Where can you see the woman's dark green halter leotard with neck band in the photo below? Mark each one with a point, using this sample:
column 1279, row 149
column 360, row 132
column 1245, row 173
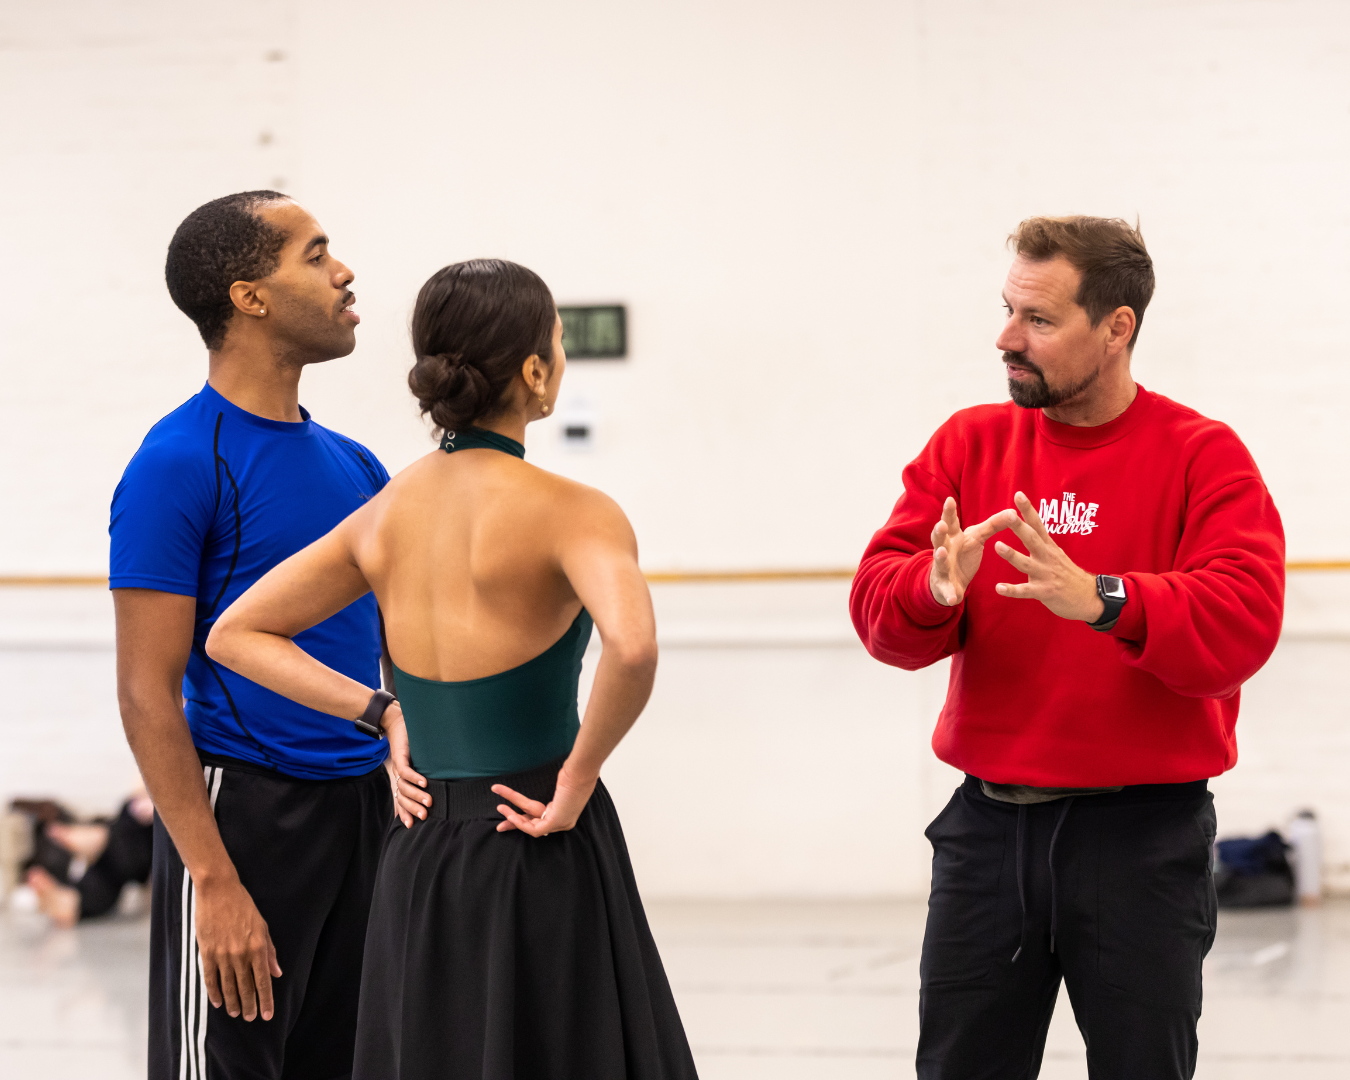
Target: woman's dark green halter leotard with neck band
column 506, row 723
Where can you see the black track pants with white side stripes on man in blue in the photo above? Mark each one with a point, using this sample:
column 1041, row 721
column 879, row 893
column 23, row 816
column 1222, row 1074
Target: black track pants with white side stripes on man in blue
column 307, row 853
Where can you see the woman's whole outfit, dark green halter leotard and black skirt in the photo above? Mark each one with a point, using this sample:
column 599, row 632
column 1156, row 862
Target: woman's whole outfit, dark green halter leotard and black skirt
column 497, row 956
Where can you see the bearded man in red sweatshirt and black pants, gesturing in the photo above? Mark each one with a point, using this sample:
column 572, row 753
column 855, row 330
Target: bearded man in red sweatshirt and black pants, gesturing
column 1097, row 664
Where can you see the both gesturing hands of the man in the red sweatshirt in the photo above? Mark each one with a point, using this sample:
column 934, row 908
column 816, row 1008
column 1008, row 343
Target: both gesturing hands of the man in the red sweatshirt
column 1051, row 576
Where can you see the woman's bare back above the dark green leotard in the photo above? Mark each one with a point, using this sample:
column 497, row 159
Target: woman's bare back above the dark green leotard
column 466, row 556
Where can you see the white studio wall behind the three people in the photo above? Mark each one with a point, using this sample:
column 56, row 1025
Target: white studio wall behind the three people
column 804, row 206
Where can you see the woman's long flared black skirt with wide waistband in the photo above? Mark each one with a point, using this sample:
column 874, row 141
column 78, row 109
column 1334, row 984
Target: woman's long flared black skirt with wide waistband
column 497, row 956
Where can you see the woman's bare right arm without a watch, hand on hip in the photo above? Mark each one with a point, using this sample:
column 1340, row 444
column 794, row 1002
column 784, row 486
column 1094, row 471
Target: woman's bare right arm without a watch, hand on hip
column 600, row 558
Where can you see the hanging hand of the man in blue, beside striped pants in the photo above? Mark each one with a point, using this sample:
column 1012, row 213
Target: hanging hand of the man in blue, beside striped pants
column 238, row 959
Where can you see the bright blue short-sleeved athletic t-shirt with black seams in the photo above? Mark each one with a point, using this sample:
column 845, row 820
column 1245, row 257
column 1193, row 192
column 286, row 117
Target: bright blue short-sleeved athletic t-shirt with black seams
column 214, row 500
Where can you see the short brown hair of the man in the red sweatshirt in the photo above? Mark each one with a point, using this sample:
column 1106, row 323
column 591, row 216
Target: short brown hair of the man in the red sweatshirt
column 1113, row 264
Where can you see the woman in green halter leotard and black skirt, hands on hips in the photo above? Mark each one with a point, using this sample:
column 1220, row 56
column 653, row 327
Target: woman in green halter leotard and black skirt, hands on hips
column 507, row 939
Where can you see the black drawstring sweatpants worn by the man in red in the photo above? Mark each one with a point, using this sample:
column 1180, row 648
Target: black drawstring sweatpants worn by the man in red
column 1110, row 893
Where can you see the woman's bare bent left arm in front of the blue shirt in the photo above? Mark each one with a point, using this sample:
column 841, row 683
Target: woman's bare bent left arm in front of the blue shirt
column 254, row 638
